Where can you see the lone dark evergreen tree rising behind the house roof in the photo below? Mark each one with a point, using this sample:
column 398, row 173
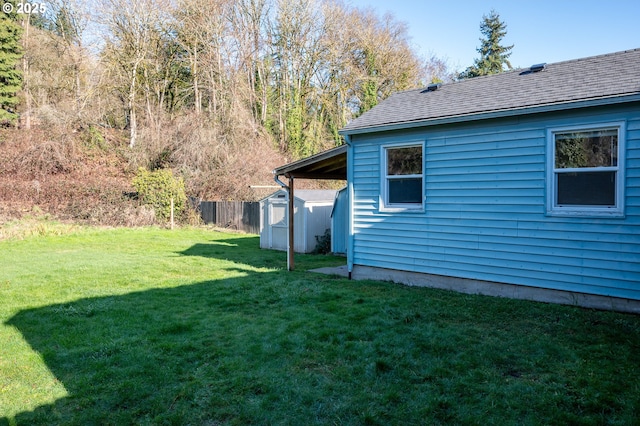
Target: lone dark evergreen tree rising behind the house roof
column 493, row 56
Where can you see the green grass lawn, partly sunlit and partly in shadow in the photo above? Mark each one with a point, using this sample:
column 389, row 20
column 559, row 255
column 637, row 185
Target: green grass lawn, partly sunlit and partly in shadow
column 150, row 326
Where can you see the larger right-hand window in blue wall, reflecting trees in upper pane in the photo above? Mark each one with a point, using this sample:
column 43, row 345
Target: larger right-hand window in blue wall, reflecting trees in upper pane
column 586, row 171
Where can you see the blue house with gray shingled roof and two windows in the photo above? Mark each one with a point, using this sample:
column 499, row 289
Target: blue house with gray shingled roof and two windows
column 524, row 184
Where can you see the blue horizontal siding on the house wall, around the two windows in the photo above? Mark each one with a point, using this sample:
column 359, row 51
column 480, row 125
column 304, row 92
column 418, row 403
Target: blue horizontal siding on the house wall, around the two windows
column 485, row 213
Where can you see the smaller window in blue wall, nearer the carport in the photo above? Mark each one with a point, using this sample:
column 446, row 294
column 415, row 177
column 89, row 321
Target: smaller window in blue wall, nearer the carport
column 402, row 177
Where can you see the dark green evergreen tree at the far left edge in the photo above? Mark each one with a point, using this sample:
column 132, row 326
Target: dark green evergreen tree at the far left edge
column 10, row 75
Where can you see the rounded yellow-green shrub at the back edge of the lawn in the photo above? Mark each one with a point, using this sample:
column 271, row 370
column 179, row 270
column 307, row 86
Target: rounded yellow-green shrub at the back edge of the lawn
column 157, row 188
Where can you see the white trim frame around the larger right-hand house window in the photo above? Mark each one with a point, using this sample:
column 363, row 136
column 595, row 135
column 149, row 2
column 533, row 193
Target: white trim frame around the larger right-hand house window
column 587, row 211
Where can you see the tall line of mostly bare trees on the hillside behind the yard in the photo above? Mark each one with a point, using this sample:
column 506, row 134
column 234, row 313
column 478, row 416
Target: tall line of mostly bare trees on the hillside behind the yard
column 196, row 84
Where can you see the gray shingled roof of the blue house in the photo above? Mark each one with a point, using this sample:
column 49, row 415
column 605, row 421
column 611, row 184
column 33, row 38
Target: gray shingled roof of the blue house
column 559, row 85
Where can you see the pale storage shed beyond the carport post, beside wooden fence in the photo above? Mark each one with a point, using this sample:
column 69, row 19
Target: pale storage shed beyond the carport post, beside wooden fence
column 312, row 218
